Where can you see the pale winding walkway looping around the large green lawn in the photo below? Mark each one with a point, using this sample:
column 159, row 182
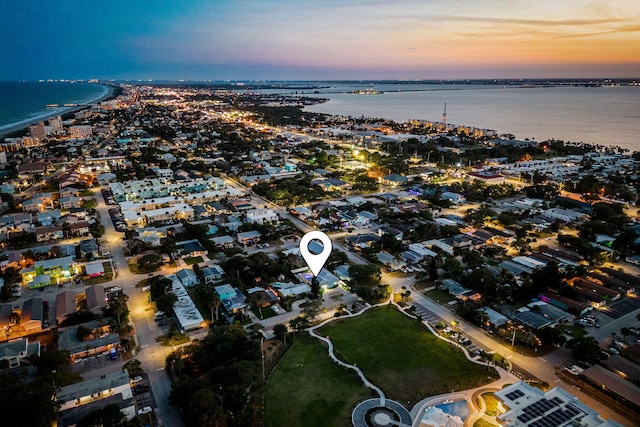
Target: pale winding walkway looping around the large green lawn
column 415, row 416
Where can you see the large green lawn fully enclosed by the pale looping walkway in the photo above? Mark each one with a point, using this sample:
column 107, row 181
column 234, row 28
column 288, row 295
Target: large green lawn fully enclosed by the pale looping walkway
column 402, row 357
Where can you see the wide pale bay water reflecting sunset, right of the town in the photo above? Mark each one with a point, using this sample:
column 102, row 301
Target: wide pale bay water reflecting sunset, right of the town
column 595, row 115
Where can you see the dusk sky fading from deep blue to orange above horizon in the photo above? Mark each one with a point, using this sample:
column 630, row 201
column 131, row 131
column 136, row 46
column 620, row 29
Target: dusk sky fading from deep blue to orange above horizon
column 319, row 39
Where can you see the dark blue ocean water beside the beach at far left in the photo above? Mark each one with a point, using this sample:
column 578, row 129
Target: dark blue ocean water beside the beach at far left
column 24, row 102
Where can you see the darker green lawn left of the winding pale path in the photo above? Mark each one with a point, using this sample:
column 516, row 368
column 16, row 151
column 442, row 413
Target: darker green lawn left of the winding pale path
column 307, row 389
